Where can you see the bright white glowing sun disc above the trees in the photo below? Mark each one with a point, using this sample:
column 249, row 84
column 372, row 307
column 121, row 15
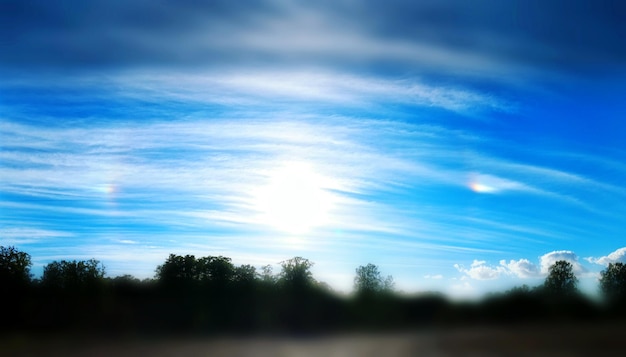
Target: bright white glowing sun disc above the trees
column 294, row 200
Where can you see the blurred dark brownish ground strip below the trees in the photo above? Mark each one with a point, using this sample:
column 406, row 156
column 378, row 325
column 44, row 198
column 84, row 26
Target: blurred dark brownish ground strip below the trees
column 561, row 340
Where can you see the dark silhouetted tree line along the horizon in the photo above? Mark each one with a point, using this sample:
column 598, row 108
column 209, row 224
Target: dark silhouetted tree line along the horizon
column 213, row 295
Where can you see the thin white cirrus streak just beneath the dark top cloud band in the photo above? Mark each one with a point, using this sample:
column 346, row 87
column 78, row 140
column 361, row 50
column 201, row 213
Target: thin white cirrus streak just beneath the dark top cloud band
column 249, row 90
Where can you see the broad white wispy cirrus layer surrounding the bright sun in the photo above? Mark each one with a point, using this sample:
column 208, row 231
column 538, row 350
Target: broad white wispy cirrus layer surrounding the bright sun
column 202, row 174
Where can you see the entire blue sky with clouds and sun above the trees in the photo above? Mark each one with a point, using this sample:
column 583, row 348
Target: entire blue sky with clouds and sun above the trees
column 462, row 147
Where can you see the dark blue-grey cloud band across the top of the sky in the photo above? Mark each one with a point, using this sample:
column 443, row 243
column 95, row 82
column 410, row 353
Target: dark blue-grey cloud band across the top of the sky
column 468, row 36
